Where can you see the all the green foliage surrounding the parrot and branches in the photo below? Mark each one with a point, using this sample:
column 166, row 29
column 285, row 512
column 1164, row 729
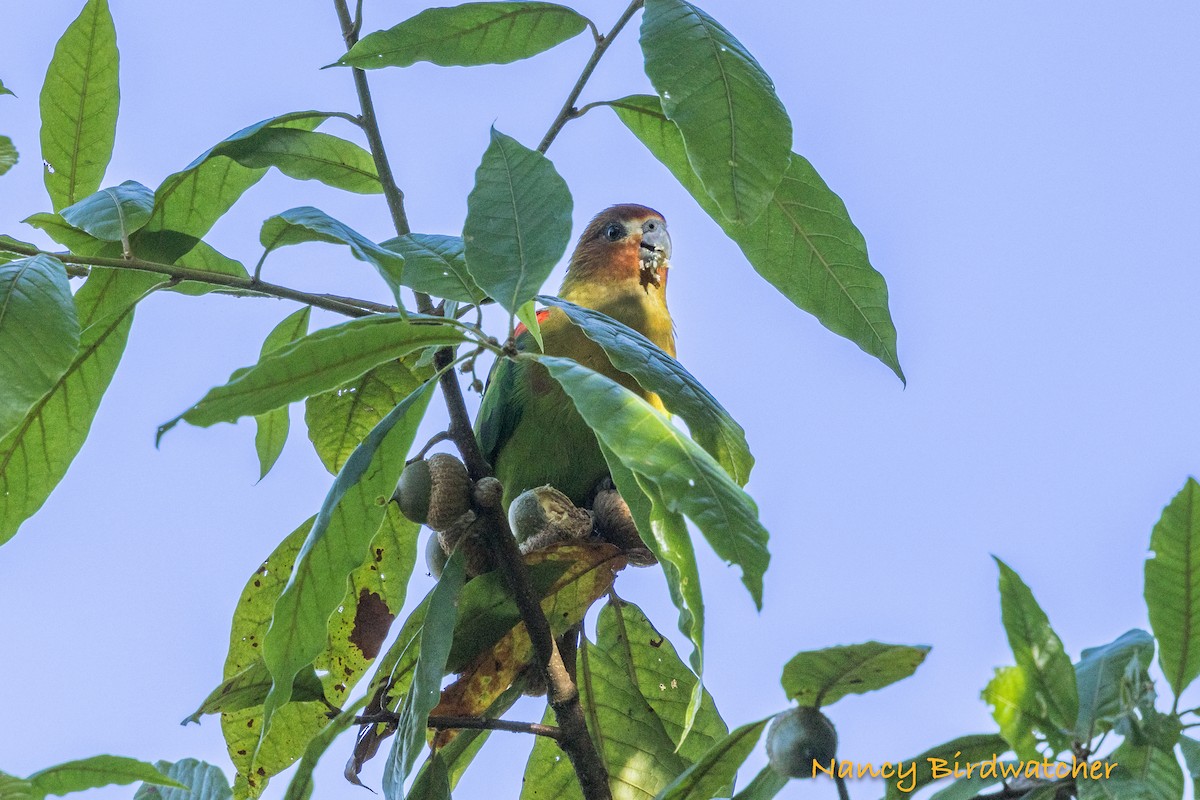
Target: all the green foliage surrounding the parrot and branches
column 317, row 613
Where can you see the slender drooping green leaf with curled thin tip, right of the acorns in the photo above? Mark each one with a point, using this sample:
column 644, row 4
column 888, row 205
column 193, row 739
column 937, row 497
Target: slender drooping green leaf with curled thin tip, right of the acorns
column 667, row 534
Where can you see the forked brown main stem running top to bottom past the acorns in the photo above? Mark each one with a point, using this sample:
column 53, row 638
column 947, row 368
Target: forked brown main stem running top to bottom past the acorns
column 565, row 697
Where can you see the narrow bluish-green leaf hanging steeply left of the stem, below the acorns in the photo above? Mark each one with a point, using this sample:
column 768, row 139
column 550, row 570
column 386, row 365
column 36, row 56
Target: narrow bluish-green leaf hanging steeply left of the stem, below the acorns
column 437, row 636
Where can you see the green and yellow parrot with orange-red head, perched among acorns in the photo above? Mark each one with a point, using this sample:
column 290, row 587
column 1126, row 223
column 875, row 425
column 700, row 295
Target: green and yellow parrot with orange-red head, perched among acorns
column 527, row 426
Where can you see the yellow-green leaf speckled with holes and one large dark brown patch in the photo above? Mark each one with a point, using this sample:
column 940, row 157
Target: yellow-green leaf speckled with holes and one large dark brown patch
column 374, row 593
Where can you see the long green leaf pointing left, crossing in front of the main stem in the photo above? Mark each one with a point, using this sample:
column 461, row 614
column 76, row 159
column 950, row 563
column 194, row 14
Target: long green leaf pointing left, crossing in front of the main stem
column 315, row 364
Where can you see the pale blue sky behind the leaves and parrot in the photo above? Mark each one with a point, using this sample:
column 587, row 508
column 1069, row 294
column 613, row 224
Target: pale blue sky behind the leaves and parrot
column 1028, row 179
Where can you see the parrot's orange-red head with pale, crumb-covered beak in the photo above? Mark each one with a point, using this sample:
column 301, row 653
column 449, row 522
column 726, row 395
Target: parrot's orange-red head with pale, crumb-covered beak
column 623, row 245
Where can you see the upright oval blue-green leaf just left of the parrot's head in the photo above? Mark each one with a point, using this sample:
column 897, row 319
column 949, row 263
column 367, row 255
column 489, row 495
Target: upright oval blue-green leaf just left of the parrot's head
column 519, row 222
